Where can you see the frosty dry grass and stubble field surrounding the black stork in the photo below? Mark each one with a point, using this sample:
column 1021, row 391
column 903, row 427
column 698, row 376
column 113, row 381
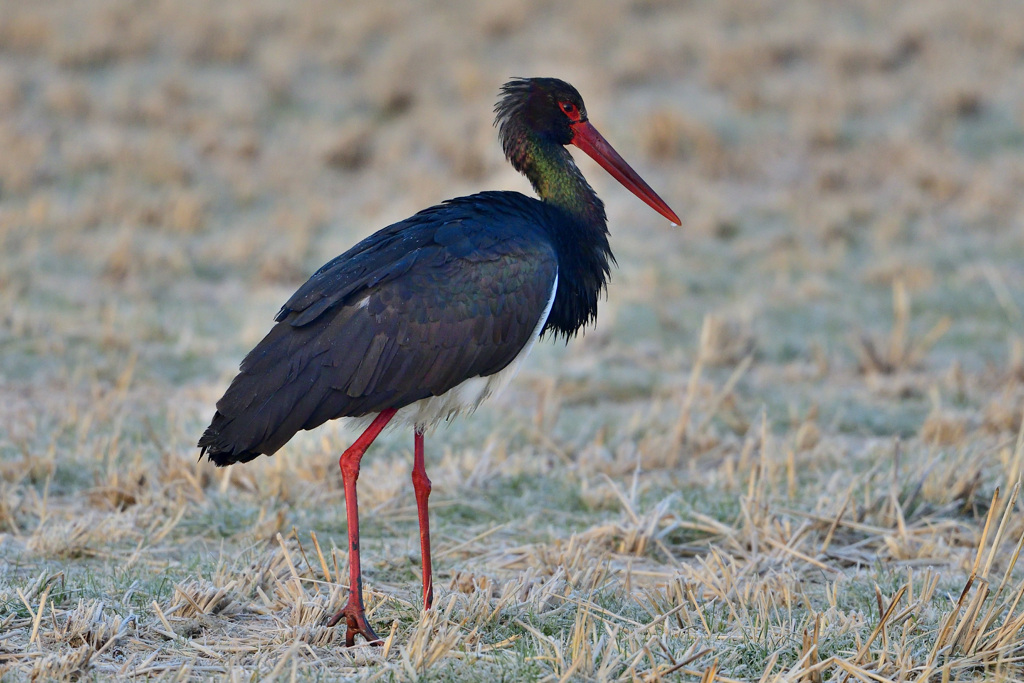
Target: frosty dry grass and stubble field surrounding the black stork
column 791, row 451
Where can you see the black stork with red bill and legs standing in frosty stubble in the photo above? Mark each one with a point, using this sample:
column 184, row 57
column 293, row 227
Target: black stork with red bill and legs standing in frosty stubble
column 428, row 318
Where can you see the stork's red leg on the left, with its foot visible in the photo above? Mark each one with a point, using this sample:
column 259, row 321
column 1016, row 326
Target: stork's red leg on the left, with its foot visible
column 354, row 612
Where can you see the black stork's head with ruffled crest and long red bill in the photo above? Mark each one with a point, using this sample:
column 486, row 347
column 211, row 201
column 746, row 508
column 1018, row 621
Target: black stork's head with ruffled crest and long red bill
column 551, row 111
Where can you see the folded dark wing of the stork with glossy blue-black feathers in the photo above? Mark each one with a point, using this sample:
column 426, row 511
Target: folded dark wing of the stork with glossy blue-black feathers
column 453, row 293
